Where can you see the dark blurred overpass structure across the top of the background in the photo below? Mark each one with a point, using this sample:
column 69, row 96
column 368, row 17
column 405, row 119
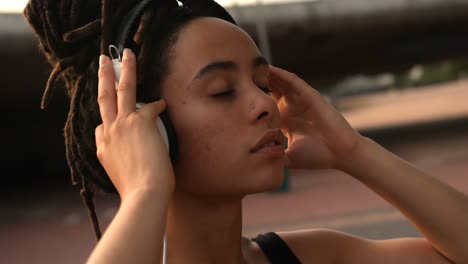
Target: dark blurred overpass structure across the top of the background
column 320, row 40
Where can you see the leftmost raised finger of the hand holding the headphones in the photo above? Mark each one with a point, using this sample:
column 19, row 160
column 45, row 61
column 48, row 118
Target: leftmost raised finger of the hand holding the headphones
column 106, row 91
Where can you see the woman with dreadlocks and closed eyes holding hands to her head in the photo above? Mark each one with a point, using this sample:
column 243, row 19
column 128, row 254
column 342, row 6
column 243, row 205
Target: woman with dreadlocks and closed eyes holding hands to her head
column 229, row 108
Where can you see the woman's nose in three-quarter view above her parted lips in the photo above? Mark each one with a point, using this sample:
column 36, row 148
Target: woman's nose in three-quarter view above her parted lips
column 261, row 107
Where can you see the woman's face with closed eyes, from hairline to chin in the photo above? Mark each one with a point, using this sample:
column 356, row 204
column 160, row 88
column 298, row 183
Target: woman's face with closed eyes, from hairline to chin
column 218, row 101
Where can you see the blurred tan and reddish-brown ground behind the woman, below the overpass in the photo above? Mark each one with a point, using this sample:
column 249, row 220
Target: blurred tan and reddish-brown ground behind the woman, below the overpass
column 51, row 226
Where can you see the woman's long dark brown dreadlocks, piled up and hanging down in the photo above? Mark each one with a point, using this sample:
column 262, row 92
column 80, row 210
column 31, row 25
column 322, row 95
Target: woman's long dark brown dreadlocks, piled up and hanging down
column 72, row 34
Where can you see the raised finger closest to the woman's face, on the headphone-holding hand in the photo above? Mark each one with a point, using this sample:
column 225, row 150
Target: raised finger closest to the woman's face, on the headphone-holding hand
column 126, row 93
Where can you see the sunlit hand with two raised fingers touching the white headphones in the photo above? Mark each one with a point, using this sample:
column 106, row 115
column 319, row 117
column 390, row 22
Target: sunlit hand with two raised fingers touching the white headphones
column 129, row 145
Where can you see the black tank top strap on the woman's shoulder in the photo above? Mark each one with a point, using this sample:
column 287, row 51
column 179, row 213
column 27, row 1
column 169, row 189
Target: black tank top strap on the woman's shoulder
column 276, row 250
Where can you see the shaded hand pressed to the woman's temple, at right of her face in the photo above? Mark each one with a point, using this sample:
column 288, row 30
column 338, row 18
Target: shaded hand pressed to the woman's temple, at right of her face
column 318, row 136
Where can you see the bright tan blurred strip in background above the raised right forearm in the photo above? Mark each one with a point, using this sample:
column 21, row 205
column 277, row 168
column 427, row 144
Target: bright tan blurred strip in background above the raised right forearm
column 396, row 108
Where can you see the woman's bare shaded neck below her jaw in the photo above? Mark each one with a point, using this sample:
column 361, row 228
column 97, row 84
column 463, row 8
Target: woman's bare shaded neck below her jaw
column 206, row 229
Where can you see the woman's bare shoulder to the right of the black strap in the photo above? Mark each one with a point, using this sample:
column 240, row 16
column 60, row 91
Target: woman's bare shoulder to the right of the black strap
column 331, row 246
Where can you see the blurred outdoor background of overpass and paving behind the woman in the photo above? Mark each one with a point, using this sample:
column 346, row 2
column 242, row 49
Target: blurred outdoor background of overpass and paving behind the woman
column 396, row 69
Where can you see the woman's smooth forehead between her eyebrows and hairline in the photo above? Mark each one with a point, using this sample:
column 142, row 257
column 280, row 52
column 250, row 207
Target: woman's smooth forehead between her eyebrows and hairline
column 205, row 40
